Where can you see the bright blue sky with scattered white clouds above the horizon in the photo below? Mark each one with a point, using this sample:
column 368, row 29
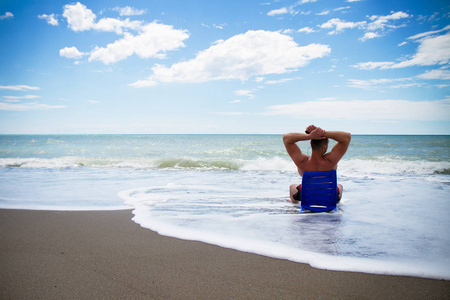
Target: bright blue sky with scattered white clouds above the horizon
column 236, row 66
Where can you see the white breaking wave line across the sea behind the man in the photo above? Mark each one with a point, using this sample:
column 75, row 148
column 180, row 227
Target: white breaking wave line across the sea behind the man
column 354, row 167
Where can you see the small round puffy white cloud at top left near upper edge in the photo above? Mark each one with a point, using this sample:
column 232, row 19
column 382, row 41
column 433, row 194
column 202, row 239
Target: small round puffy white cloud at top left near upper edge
column 79, row 17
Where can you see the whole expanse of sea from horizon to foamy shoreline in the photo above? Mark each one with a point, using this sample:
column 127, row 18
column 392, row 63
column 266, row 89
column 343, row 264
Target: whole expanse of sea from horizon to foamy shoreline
column 230, row 190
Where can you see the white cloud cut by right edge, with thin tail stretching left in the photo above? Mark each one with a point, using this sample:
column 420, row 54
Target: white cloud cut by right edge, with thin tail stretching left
column 434, row 50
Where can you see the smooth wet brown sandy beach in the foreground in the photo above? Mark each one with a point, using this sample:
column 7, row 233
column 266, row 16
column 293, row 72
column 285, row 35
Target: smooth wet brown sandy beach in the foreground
column 105, row 255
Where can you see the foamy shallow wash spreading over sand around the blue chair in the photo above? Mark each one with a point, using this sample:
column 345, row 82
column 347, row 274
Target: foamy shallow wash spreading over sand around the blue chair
column 376, row 230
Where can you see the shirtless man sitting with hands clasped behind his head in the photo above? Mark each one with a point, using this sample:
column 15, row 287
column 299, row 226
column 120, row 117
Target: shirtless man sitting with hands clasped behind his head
column 319, row 159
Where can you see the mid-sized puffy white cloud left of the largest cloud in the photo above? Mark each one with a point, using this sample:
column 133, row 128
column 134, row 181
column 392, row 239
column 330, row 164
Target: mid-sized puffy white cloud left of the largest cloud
column 153, row 41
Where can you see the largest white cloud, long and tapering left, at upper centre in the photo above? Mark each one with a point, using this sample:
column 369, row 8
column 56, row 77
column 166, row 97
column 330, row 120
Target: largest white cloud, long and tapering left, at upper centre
column 255, row 53
